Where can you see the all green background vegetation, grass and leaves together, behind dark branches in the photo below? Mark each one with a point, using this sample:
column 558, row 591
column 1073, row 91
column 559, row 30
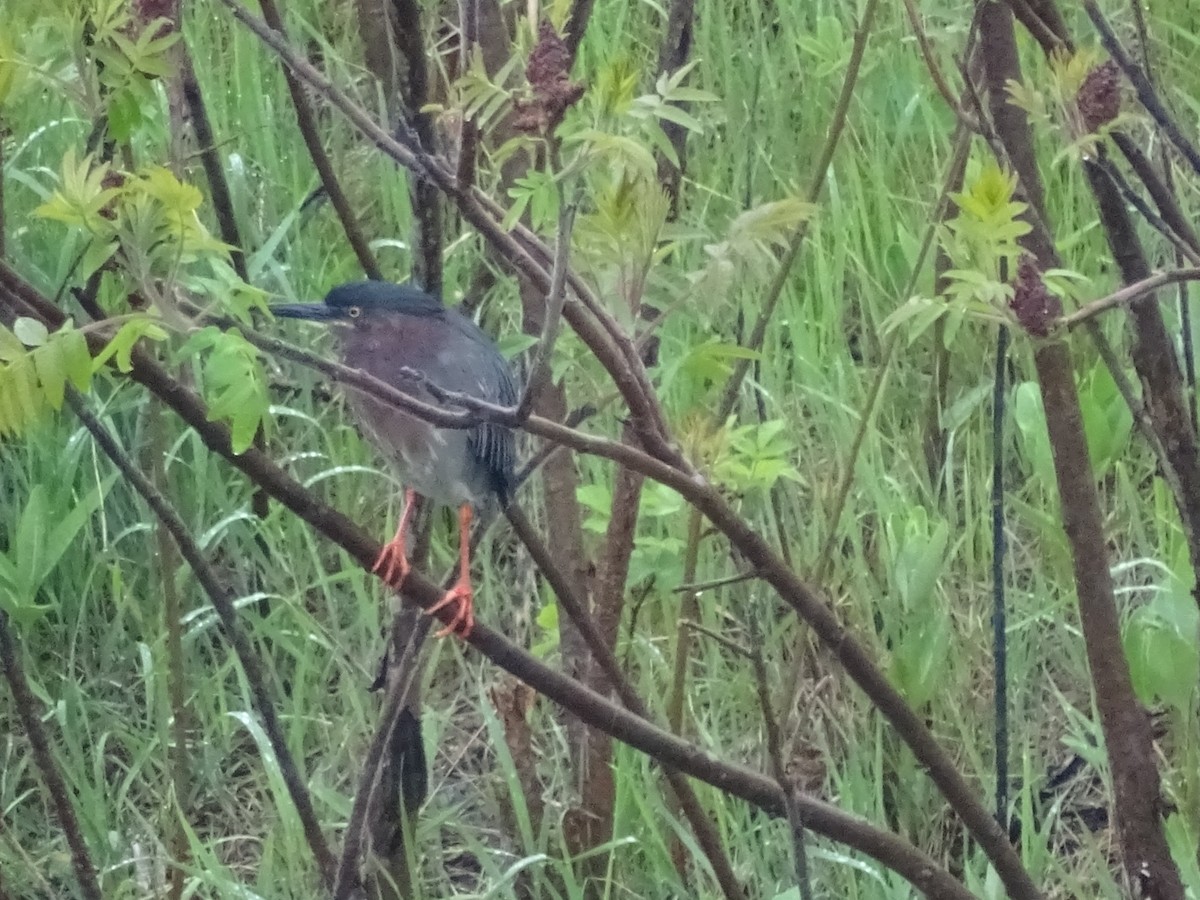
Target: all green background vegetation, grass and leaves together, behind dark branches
column 913, row 559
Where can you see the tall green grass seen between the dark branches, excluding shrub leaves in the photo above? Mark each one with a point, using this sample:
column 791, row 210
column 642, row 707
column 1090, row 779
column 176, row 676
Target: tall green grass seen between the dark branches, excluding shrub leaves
column 99, row 659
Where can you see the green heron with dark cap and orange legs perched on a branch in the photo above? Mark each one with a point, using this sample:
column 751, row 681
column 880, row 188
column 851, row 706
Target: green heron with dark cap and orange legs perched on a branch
column 386, row 329
